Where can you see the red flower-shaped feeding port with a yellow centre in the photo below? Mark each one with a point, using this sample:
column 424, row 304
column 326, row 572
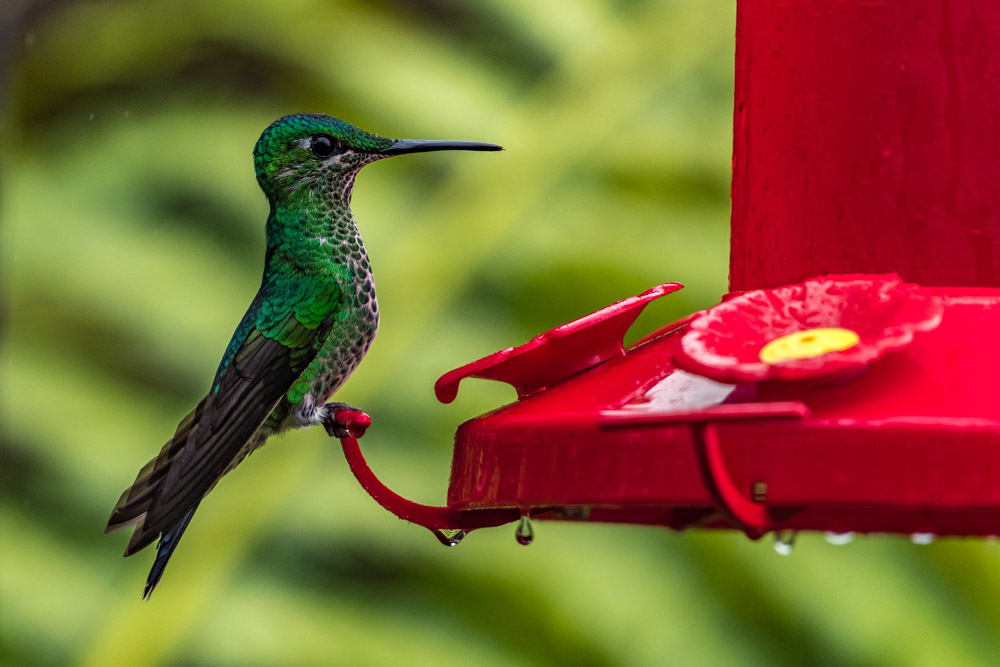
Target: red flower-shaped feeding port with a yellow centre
column 823, row 328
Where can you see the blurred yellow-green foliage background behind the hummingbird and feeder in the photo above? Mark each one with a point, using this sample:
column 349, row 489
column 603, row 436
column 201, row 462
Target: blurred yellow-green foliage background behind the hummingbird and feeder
column 132, row 242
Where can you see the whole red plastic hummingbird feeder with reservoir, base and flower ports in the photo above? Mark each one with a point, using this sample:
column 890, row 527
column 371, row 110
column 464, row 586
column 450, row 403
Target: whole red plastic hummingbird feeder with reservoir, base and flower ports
column 846, row 382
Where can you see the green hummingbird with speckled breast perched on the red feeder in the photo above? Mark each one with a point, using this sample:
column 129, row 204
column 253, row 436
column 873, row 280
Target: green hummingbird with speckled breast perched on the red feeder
column 306, row 330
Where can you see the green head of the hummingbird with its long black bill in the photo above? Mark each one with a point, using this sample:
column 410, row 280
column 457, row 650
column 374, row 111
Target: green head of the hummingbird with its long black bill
column 322, row 153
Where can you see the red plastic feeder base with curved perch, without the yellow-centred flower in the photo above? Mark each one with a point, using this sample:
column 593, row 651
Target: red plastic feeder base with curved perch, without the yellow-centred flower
column 910, row 445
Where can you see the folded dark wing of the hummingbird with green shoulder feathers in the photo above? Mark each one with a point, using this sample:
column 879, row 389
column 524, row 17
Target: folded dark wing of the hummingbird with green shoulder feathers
column 248, row 388
